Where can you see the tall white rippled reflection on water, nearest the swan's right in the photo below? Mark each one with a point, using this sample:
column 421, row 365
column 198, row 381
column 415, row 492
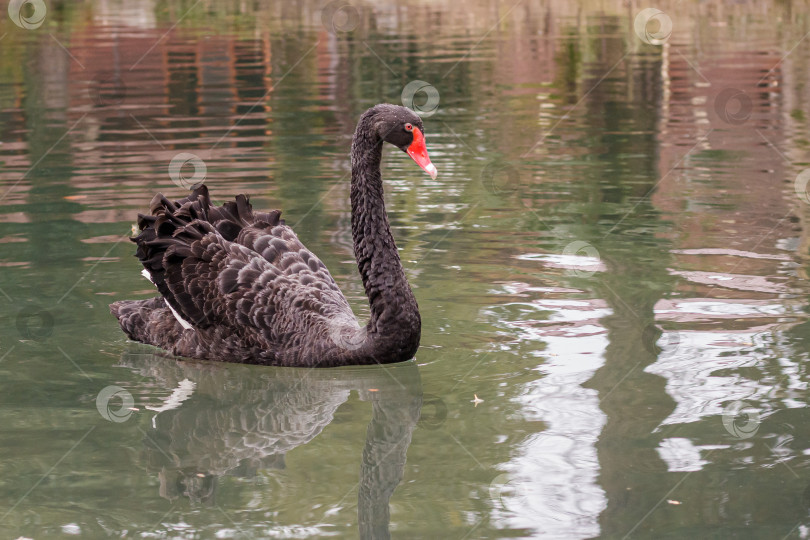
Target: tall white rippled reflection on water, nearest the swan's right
column 555, row 471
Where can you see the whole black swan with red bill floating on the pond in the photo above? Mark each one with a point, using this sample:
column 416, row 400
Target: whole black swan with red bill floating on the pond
column 239, row 286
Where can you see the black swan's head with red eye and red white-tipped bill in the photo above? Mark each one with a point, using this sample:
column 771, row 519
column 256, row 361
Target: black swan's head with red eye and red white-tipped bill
column 402, row 127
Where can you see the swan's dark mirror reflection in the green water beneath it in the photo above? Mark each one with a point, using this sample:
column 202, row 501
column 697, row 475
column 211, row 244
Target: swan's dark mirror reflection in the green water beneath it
column 228, row 420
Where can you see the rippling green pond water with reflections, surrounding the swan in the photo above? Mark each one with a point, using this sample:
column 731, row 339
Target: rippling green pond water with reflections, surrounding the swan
column 611, row 269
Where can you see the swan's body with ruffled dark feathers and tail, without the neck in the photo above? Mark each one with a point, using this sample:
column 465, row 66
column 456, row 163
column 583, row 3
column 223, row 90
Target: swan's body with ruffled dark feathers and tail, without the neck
column 235, row 285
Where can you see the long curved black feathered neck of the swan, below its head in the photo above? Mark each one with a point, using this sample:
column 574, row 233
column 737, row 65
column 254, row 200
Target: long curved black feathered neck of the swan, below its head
column 394, row 313
